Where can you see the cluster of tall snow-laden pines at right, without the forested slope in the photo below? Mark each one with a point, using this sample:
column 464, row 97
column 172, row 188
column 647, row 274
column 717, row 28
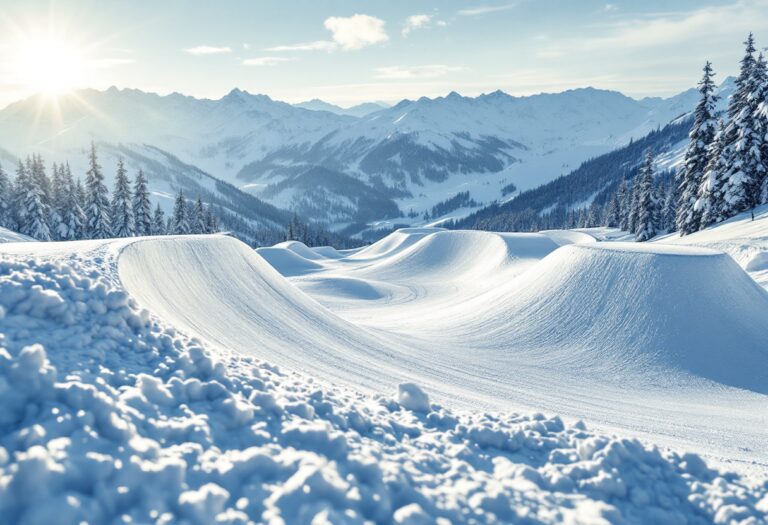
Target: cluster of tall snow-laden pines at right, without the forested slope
column 725, row 167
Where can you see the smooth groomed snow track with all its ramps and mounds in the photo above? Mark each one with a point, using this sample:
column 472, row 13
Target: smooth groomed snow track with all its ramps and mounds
column 666, row 343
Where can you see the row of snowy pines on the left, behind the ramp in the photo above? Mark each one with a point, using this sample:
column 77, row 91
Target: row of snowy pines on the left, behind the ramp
column 60, row 207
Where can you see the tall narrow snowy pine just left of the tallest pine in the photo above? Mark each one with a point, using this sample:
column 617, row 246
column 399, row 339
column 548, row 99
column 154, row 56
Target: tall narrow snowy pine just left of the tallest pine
column 701, row 137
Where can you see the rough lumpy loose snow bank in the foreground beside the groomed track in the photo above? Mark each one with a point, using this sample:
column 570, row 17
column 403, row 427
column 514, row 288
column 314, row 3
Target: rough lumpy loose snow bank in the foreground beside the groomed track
column 111, row 416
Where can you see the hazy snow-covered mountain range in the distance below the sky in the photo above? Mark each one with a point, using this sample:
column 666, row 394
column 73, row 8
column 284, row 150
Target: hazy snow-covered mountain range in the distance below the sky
column 342, row 169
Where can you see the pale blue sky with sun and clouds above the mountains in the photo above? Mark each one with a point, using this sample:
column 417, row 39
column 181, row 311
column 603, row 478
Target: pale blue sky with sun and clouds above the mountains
column 348, row 52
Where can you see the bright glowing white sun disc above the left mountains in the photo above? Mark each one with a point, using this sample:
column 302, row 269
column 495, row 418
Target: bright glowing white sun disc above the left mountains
column 49, row 65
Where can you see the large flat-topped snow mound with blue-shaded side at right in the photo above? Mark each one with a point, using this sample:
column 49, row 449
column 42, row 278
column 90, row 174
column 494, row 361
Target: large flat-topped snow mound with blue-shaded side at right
column 634, row 308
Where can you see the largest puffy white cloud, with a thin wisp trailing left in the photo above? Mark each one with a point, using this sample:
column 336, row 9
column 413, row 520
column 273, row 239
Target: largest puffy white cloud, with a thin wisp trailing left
column 347, row 33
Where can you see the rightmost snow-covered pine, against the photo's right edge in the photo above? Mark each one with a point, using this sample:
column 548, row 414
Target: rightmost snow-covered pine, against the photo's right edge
column 745, row 169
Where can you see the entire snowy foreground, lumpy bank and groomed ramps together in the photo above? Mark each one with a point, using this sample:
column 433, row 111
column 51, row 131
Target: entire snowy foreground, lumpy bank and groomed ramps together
column 398, row 367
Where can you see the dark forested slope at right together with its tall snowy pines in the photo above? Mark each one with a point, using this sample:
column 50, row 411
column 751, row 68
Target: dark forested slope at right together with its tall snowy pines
column 724, row 172
